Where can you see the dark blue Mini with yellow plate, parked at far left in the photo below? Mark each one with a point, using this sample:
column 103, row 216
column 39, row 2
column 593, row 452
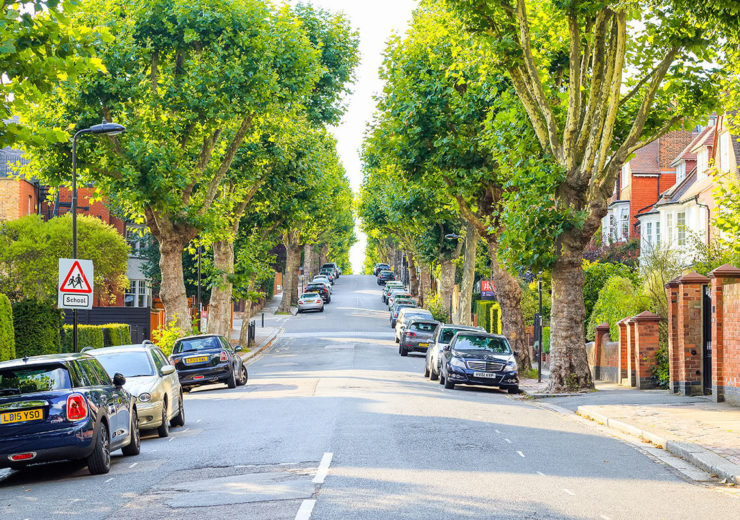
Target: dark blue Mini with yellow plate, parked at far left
column 64, row 407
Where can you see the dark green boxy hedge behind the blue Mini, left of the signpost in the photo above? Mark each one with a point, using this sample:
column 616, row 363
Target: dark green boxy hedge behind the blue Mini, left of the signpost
column 36, row 326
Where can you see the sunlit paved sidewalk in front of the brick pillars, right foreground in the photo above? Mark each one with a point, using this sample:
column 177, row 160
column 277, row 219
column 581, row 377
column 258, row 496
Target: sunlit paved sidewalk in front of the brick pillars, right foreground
column 696, row 429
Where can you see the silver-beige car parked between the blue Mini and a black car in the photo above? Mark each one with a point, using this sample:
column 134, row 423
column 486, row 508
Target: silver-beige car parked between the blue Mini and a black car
column 151, row 378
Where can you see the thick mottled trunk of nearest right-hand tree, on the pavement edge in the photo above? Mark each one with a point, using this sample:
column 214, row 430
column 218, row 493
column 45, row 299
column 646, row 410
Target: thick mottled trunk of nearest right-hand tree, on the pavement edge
column 569, row 369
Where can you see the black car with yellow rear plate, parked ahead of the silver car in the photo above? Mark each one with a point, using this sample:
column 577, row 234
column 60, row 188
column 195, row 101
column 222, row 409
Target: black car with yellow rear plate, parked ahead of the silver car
column 207, row 359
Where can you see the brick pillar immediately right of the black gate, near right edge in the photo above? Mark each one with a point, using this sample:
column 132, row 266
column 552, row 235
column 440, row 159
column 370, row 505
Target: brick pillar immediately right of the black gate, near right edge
column 722, row 276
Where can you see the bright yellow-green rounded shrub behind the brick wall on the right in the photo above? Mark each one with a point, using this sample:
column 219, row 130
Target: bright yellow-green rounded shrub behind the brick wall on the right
column 618, row 299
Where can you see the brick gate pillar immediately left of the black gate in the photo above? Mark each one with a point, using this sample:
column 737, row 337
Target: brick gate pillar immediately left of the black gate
column 690, row 339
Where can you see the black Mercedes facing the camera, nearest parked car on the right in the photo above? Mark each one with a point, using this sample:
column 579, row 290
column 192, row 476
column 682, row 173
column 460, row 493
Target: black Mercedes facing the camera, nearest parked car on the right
column 477, row 358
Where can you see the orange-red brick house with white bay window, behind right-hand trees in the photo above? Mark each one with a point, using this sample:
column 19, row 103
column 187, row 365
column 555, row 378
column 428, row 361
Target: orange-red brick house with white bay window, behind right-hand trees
column 641, row 182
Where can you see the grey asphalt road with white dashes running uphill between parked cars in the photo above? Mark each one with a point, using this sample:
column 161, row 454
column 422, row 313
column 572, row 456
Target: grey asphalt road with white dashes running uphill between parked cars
column 334, row 424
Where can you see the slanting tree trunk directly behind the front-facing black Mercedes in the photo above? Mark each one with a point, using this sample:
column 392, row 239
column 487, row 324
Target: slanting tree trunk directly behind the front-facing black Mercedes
column 509, row 296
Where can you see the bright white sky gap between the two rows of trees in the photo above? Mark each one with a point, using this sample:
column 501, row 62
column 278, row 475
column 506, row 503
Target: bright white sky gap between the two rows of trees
column 376, row 20
